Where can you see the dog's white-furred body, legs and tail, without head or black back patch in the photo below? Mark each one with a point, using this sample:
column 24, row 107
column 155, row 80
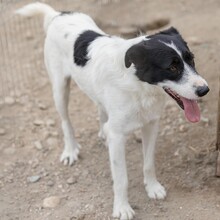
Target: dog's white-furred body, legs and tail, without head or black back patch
column 124, row 102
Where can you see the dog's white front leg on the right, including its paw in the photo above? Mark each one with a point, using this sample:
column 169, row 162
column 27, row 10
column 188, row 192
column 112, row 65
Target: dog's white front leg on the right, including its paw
column 149, row 135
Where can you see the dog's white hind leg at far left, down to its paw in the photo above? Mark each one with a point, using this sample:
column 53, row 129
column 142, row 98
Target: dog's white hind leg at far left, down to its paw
column 61, row 87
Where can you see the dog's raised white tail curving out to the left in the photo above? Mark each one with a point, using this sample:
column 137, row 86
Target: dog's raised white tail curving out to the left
column 38, row 8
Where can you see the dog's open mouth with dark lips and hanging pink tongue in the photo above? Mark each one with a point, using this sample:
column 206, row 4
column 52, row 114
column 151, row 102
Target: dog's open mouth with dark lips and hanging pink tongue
column 190, row 107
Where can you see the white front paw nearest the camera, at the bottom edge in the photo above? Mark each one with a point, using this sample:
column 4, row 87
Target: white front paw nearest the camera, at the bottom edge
column 123, row 212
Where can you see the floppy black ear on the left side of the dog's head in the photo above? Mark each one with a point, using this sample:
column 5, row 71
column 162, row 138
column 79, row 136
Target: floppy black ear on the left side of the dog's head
column 136, row 55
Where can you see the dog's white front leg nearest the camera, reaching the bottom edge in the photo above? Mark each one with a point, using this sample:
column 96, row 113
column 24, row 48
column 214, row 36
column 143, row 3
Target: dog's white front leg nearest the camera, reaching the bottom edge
column 116, row 143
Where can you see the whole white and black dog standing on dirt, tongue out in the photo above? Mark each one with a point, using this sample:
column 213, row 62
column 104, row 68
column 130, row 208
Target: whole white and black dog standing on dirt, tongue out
column 127, row 80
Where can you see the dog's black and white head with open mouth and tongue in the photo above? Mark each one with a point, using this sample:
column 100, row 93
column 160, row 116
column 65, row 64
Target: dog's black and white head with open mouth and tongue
column 164, row 59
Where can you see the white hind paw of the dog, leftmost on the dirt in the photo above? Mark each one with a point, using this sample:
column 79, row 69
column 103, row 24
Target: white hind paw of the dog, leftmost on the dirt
column 68, row 157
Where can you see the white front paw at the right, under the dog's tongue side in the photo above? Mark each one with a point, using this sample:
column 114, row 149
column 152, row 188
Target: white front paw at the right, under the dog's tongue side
column 155, row 191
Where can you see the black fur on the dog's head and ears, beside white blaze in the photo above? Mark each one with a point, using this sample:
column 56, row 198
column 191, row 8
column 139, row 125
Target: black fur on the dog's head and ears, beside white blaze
column 156, row 62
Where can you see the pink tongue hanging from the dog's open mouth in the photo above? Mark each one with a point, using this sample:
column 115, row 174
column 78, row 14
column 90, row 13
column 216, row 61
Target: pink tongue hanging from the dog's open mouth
column 191, row 110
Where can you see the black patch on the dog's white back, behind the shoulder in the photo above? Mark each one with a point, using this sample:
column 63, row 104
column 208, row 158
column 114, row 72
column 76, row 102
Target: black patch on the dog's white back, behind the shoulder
column 81, row 46
